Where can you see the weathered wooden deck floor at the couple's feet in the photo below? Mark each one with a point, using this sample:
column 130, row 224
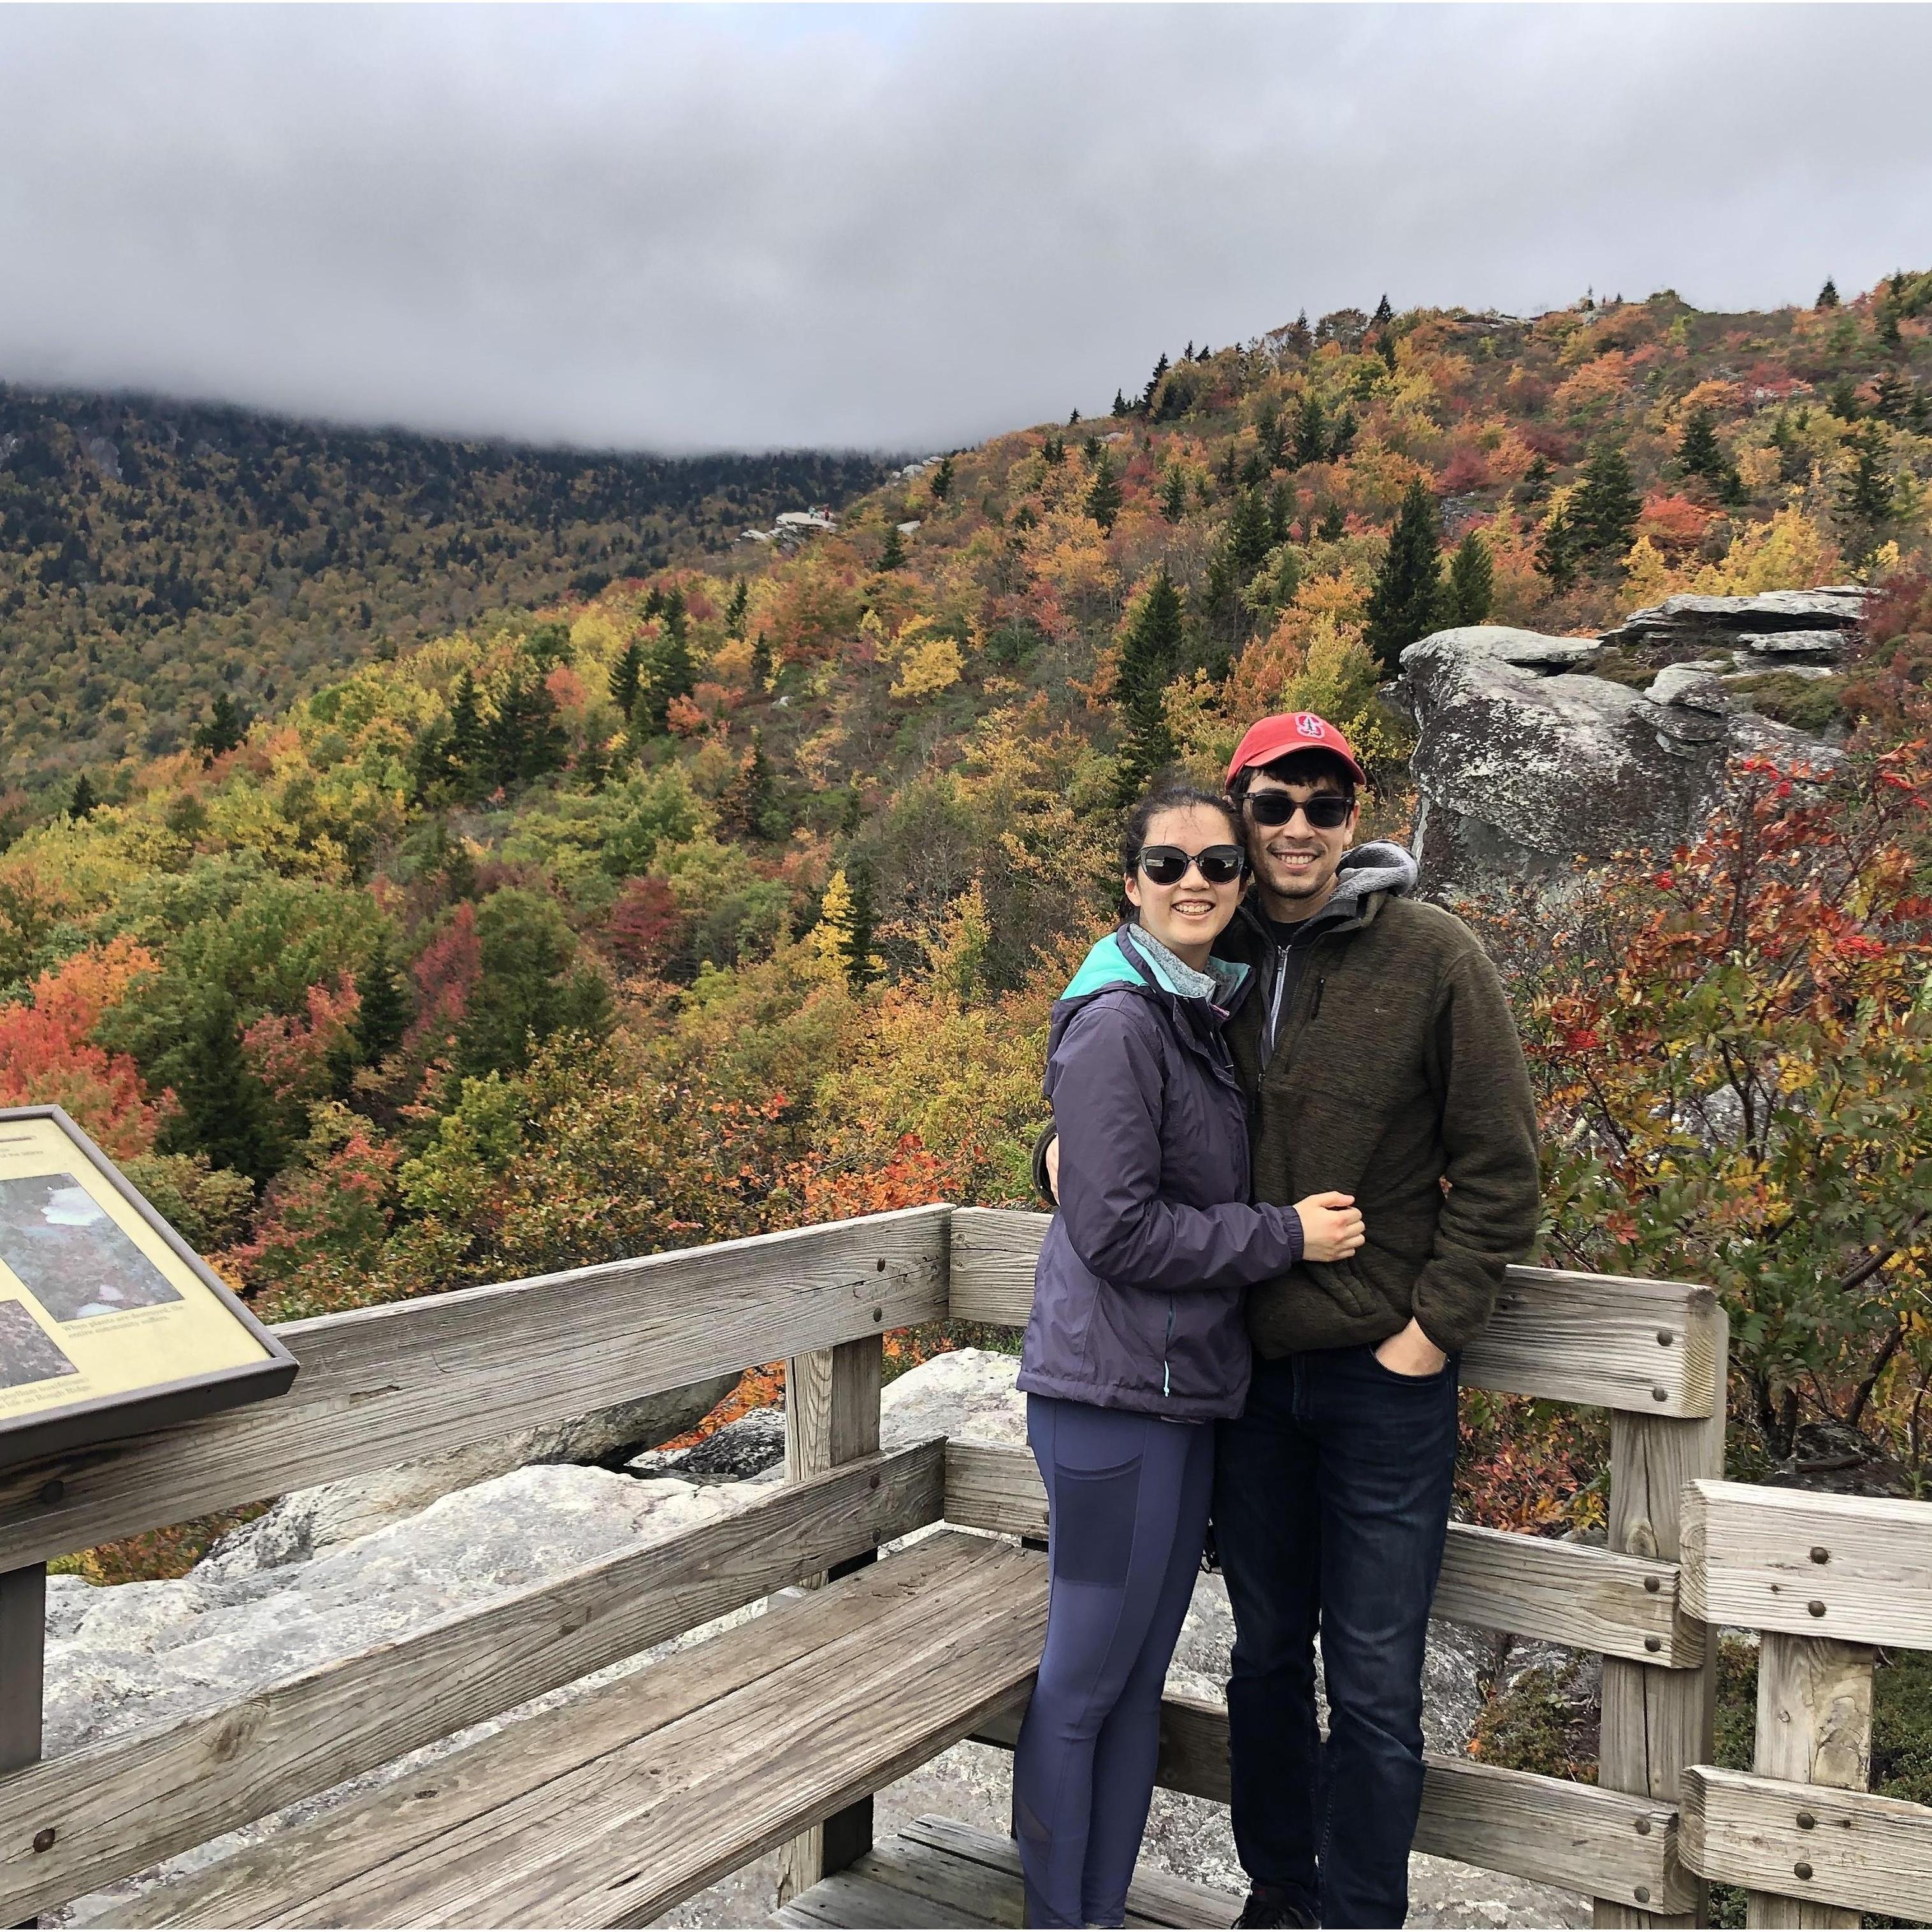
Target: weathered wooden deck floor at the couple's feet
column 938, row 1873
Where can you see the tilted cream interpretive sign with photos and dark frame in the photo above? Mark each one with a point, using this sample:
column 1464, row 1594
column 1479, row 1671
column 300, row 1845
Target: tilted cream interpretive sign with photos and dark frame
column 109, row 1322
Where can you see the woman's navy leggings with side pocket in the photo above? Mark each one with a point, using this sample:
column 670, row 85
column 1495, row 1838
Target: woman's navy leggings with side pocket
column 1127, row 1498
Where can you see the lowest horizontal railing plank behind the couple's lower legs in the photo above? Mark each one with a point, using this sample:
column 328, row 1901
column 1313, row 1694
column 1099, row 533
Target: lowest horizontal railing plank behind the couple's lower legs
column 1543, row 1829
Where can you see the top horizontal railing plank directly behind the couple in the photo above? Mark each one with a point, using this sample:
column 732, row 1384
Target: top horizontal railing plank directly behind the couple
column 1651, row 1348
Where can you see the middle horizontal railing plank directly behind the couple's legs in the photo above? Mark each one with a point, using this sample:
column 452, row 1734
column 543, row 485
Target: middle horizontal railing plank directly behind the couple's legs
column 1525, row 1585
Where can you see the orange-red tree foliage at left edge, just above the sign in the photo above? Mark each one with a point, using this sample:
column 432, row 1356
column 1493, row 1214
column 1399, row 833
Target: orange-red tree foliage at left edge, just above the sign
column 47, row 1056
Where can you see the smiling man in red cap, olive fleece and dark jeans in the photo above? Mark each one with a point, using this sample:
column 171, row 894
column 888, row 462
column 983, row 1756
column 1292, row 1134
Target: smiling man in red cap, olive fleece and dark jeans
column 1380, row 1060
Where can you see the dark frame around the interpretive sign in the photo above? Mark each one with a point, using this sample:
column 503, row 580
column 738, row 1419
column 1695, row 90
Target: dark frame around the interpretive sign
column 167, row 1404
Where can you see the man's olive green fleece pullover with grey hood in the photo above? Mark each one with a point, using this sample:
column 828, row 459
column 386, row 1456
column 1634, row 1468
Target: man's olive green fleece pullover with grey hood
column 1396, row 1077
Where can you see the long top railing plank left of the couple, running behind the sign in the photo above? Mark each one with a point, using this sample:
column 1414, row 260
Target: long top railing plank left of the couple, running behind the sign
column 382, row 1386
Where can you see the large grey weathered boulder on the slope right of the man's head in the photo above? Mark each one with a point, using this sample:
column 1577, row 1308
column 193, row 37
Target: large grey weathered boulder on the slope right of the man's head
column 1527, row 762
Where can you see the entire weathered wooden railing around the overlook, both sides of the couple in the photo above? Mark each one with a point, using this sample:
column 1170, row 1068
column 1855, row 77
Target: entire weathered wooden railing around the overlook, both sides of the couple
column 389, row 1384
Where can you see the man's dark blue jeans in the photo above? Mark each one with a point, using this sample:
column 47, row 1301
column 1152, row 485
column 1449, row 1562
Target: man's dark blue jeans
column 1332, row 1506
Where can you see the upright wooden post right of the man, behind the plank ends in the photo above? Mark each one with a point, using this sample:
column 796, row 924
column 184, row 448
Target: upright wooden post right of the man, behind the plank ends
column 1657, row 1722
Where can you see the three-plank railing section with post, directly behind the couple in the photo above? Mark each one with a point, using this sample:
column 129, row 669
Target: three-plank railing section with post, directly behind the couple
column 1653, row 1353
